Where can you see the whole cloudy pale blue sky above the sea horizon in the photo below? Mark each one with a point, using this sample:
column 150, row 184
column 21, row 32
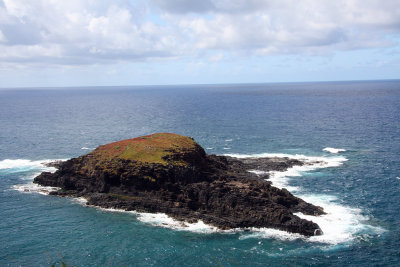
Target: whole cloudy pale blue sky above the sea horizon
column 45, row 43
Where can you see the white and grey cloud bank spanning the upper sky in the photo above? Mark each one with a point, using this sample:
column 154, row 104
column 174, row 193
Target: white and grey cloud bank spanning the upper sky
column 100, row 31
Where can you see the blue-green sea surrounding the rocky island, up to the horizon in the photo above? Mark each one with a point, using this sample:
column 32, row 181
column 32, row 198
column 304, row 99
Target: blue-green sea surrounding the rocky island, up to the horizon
column 358, row 187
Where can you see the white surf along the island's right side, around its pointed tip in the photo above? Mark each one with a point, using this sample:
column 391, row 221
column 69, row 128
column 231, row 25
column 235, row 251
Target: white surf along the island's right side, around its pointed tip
column 341, row 224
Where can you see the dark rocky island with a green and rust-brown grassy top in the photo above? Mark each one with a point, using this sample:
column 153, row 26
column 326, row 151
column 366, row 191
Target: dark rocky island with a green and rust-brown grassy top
column 172, row 174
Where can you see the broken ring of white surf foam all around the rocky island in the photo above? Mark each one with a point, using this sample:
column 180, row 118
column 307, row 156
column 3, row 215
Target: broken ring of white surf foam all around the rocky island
column 340, row 224
